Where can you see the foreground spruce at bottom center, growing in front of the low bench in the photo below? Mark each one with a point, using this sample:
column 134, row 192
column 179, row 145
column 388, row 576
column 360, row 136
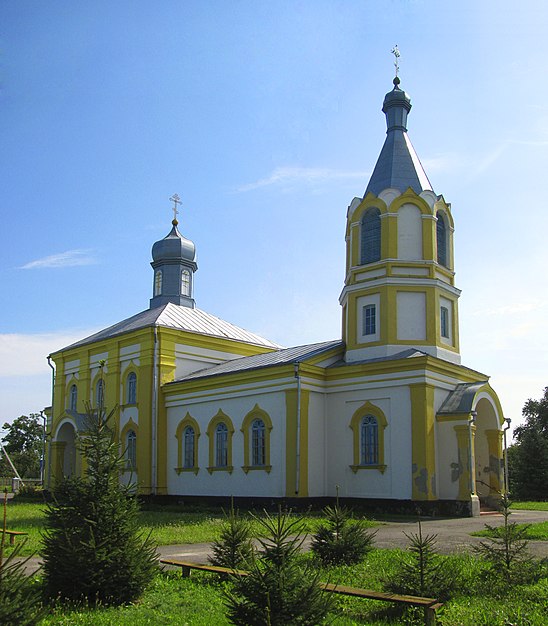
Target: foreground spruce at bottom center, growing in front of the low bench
column 280, row 589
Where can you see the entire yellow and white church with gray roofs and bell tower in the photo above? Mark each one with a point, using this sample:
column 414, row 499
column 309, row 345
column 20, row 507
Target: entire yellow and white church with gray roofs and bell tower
column 386, row 413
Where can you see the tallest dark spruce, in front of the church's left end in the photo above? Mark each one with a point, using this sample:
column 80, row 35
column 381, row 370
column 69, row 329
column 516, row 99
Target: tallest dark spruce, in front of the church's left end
column 93, row 550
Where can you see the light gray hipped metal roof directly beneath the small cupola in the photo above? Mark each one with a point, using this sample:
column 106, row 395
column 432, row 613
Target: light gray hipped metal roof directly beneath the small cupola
column 181, row 318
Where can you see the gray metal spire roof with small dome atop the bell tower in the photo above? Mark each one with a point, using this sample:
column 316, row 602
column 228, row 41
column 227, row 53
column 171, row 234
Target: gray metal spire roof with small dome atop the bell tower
column 398, row 166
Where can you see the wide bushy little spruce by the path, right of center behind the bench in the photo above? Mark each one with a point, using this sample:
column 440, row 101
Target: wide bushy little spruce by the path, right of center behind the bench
column 341, row 539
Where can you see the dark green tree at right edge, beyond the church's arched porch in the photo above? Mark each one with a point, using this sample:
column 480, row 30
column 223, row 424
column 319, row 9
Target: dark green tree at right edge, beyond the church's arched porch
column 528, row 457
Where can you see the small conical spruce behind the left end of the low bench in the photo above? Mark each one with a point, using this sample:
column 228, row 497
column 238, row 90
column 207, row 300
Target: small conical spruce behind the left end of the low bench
column 233, row 548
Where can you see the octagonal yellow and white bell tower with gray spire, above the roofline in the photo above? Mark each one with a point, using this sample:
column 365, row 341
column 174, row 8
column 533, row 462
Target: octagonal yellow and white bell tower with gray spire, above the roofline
column 399, row 291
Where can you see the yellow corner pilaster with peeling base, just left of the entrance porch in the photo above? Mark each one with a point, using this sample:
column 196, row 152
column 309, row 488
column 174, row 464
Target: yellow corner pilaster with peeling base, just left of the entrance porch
column 423, row 442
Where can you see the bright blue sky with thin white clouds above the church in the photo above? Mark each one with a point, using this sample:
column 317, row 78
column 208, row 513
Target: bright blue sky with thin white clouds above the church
column 264, row 116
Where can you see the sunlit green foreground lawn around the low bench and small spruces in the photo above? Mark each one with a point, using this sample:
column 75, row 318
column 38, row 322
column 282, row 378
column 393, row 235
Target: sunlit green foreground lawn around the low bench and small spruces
column 198, row 601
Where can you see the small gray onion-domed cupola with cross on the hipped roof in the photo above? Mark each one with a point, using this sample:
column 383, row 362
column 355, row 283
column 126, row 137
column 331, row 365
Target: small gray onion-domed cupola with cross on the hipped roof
column 173, row 262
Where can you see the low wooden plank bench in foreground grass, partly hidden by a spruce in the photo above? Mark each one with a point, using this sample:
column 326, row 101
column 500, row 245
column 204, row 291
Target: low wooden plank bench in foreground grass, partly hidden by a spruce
column 430, row 605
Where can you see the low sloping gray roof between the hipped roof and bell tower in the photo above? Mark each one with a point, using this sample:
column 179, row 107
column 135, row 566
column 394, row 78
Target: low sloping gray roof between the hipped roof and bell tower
column 284, row 356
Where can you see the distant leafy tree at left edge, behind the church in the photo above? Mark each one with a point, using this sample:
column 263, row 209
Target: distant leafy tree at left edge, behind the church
column 23, row 442
